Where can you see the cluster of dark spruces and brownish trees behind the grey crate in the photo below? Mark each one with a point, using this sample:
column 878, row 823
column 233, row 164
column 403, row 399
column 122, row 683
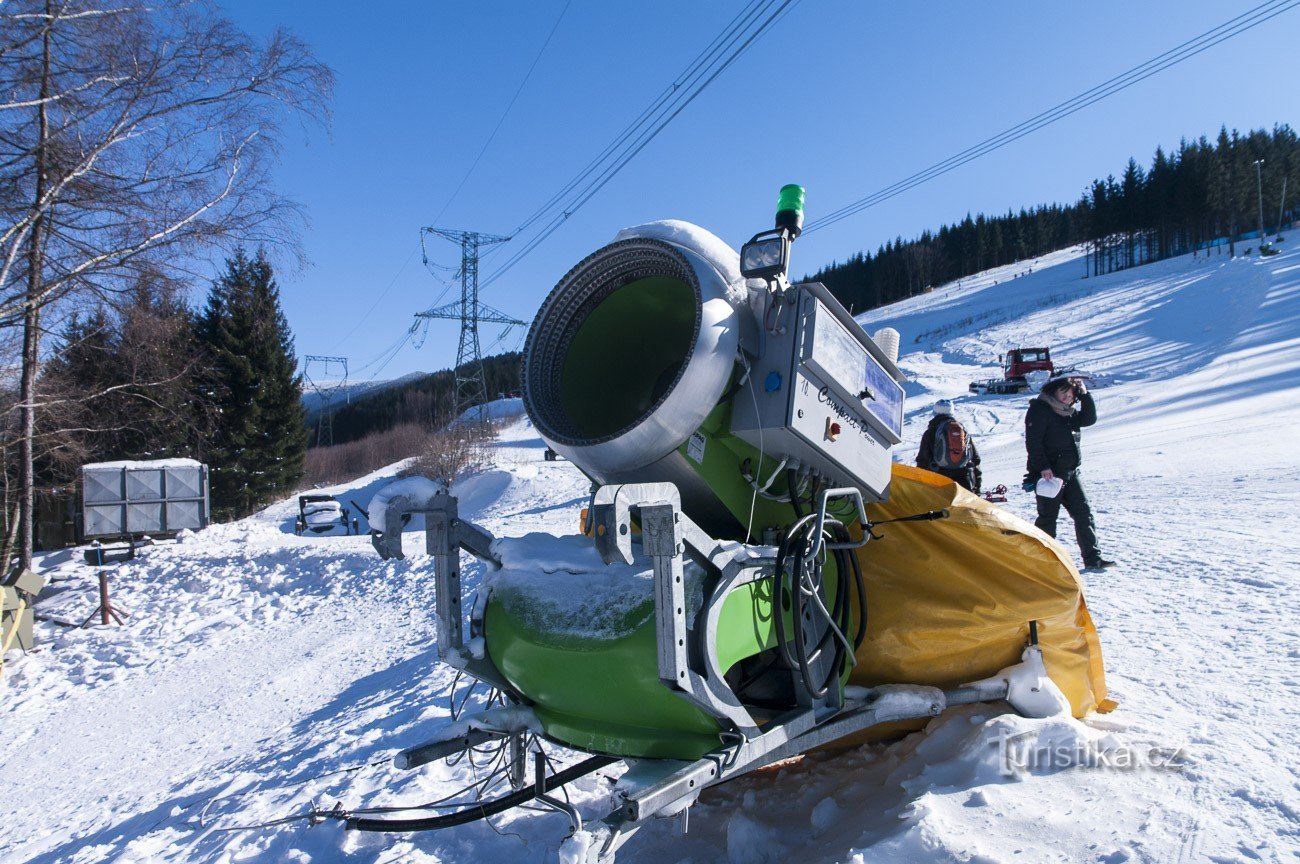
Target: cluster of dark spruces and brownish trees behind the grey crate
column 149, row 379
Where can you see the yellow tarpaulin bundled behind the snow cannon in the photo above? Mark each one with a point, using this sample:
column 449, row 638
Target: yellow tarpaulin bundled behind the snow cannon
column 951, row 601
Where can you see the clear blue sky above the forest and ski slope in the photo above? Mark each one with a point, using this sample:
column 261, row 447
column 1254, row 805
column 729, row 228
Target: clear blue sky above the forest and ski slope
column 842, row 97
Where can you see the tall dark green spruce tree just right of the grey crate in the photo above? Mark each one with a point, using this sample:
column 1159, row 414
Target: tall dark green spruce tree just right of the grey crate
column 257, row 450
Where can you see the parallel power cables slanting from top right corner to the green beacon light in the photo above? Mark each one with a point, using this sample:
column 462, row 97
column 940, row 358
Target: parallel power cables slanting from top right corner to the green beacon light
column 1172, row 58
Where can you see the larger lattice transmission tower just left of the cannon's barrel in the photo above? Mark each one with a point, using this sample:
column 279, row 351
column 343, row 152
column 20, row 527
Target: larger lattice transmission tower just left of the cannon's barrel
column 471, row 379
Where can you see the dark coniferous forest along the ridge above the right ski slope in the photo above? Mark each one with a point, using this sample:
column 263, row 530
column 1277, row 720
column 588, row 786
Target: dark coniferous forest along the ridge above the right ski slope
column 1203, row 196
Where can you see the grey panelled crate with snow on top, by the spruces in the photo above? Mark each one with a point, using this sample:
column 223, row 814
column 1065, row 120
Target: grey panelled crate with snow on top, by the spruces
column 155, row 497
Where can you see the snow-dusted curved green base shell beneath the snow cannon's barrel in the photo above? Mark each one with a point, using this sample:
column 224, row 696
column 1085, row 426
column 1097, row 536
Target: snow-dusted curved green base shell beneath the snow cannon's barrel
column 582, row 645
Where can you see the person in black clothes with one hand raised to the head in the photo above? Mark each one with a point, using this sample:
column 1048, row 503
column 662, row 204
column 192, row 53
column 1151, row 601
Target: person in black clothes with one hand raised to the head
column 1052, row 438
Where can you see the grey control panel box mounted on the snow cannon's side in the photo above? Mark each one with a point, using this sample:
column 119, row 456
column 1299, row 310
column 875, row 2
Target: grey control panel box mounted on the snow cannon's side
column 822, row 393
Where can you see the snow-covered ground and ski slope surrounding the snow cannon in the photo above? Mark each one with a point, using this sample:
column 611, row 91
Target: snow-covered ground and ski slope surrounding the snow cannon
column 261, row 672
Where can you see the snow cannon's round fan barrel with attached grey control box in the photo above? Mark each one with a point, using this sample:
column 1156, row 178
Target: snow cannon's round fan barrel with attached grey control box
column 662, row 358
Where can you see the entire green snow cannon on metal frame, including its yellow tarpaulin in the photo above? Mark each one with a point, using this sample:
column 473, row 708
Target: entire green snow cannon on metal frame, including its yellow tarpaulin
column 712, row 616
